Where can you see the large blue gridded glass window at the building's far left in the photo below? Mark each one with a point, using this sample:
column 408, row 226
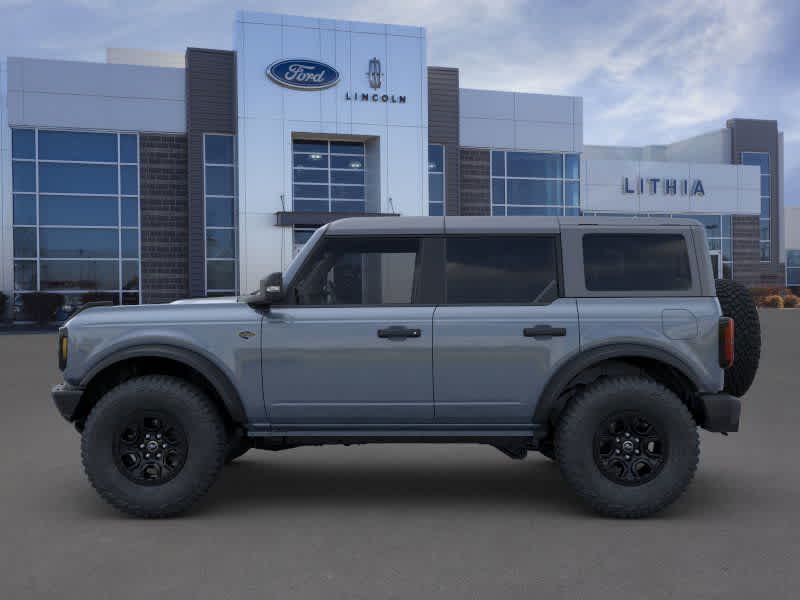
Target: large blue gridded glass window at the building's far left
column 75, row 216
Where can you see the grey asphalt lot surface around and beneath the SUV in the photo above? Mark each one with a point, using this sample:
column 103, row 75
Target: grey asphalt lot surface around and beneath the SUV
column 401, row 521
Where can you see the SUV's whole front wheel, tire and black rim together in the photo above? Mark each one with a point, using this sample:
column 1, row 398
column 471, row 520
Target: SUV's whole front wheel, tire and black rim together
column 153, row 445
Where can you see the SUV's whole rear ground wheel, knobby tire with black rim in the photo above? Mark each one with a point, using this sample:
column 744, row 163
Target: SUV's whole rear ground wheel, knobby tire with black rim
column 628, row 446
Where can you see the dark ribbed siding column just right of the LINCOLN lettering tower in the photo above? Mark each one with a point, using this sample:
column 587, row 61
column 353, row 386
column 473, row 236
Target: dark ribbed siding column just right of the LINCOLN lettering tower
column 443, row 128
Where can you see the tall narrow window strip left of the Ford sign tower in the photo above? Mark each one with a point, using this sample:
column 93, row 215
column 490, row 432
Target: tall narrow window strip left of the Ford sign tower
column 219, row 157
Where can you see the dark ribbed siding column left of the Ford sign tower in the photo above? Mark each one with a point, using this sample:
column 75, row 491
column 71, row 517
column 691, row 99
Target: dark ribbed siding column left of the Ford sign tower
column 210, row 108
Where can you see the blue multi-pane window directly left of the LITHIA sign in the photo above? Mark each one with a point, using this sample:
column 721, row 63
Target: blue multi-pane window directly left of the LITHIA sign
column 535, row 183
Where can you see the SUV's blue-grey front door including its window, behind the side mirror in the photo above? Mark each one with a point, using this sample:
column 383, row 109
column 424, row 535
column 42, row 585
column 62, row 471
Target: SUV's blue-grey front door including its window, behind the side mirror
column 354, row 345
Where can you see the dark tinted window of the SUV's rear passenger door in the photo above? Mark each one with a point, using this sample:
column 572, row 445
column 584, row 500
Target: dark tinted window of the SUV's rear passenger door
column 499, row 270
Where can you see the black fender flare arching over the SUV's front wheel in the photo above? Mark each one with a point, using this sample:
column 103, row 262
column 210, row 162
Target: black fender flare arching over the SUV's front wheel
column 218, row 379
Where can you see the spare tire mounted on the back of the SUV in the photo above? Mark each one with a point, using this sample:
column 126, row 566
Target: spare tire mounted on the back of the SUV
column 737, row 303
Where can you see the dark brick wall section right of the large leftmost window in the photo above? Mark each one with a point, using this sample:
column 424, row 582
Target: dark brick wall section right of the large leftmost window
column 164, row 217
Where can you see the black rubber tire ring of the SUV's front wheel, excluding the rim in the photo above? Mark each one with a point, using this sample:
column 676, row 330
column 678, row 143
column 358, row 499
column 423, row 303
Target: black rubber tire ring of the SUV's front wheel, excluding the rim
column 205, row 443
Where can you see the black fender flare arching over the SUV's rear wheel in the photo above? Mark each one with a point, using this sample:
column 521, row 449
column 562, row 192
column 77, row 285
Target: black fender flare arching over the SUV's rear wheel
column 584, row 360
